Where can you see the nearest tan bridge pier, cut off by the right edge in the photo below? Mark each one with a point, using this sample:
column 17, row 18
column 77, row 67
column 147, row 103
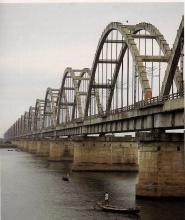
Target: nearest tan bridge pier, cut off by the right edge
column 161, row 167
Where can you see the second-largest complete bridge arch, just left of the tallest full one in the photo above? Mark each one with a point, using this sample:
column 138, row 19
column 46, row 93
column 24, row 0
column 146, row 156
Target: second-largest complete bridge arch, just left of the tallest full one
column 72, row 95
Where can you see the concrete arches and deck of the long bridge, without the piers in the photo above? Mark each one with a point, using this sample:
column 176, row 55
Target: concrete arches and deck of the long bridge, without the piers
column 135, row 84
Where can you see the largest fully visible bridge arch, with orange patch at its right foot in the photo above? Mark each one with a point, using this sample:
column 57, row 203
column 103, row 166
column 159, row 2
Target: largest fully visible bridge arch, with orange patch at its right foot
column 128, row 60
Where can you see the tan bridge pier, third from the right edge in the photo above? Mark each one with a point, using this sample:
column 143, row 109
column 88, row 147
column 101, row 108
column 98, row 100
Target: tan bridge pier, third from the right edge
column 61, row 150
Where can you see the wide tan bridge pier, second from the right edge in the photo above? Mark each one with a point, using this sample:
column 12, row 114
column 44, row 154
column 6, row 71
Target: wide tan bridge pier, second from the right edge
column 105, row 154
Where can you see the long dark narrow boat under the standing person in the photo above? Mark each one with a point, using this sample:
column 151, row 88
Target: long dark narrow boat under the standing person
column 110, row 208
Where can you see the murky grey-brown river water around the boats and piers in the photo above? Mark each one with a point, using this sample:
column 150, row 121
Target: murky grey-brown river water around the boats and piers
column 32, row 189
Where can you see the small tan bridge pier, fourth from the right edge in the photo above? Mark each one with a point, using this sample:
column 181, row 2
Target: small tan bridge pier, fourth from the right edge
column 42, row 148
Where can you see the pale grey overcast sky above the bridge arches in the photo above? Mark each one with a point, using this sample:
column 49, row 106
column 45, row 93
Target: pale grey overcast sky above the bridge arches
column 38, row 41
